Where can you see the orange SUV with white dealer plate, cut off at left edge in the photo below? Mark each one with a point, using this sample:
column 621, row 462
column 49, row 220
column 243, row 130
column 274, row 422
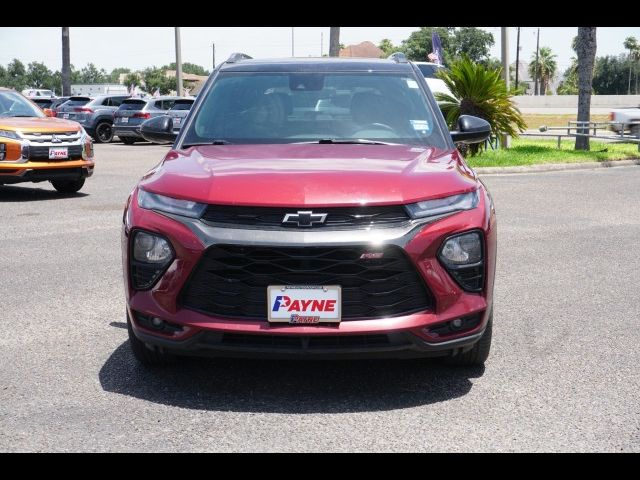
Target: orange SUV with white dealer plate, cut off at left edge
column 37, row 148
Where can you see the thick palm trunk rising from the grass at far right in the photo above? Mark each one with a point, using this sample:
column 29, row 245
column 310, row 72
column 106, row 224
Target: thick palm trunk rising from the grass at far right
column 586, row 49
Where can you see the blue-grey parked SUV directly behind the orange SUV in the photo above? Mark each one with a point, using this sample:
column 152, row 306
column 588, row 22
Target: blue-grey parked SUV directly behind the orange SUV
column 96, row 115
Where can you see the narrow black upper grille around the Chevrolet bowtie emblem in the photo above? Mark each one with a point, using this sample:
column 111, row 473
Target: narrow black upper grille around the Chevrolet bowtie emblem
column 337, row 217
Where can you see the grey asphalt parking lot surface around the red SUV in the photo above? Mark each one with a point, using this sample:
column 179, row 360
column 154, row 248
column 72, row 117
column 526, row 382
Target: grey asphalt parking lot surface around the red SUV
column 563, row 375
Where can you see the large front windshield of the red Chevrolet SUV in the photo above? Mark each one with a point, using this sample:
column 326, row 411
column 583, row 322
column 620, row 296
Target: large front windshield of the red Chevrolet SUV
column 266, row 107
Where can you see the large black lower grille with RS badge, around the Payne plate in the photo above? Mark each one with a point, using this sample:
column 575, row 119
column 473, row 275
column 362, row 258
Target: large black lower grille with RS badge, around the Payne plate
column 232, row 281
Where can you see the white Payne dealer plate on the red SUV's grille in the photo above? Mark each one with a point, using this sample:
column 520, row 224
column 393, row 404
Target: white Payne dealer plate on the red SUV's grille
column 304, row 304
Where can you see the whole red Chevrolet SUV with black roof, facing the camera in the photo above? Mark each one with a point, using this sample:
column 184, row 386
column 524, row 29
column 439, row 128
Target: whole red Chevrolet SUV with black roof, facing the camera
column 315, row 208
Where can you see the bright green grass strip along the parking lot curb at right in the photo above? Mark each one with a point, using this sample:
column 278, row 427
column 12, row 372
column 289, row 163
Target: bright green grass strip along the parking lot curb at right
column 534, row 152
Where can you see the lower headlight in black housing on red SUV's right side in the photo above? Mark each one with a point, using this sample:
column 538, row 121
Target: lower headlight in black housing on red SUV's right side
column 463, row 257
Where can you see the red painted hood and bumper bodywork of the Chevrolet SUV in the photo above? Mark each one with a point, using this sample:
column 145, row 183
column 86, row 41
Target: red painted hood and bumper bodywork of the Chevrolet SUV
column 309, row 176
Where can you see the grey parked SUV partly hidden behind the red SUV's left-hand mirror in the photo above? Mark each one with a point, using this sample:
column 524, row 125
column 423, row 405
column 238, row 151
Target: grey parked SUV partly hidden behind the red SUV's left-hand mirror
column 134, row 111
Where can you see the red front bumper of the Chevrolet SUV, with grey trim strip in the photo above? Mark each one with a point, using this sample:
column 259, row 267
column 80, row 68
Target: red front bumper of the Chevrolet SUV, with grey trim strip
column 399, row 337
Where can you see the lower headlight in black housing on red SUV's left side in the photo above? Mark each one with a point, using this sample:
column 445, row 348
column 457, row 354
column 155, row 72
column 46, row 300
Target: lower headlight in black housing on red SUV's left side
column 151, row 254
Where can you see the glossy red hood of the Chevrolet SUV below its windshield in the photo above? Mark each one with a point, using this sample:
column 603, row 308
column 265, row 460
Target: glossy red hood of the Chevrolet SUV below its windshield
column 310, row 175
